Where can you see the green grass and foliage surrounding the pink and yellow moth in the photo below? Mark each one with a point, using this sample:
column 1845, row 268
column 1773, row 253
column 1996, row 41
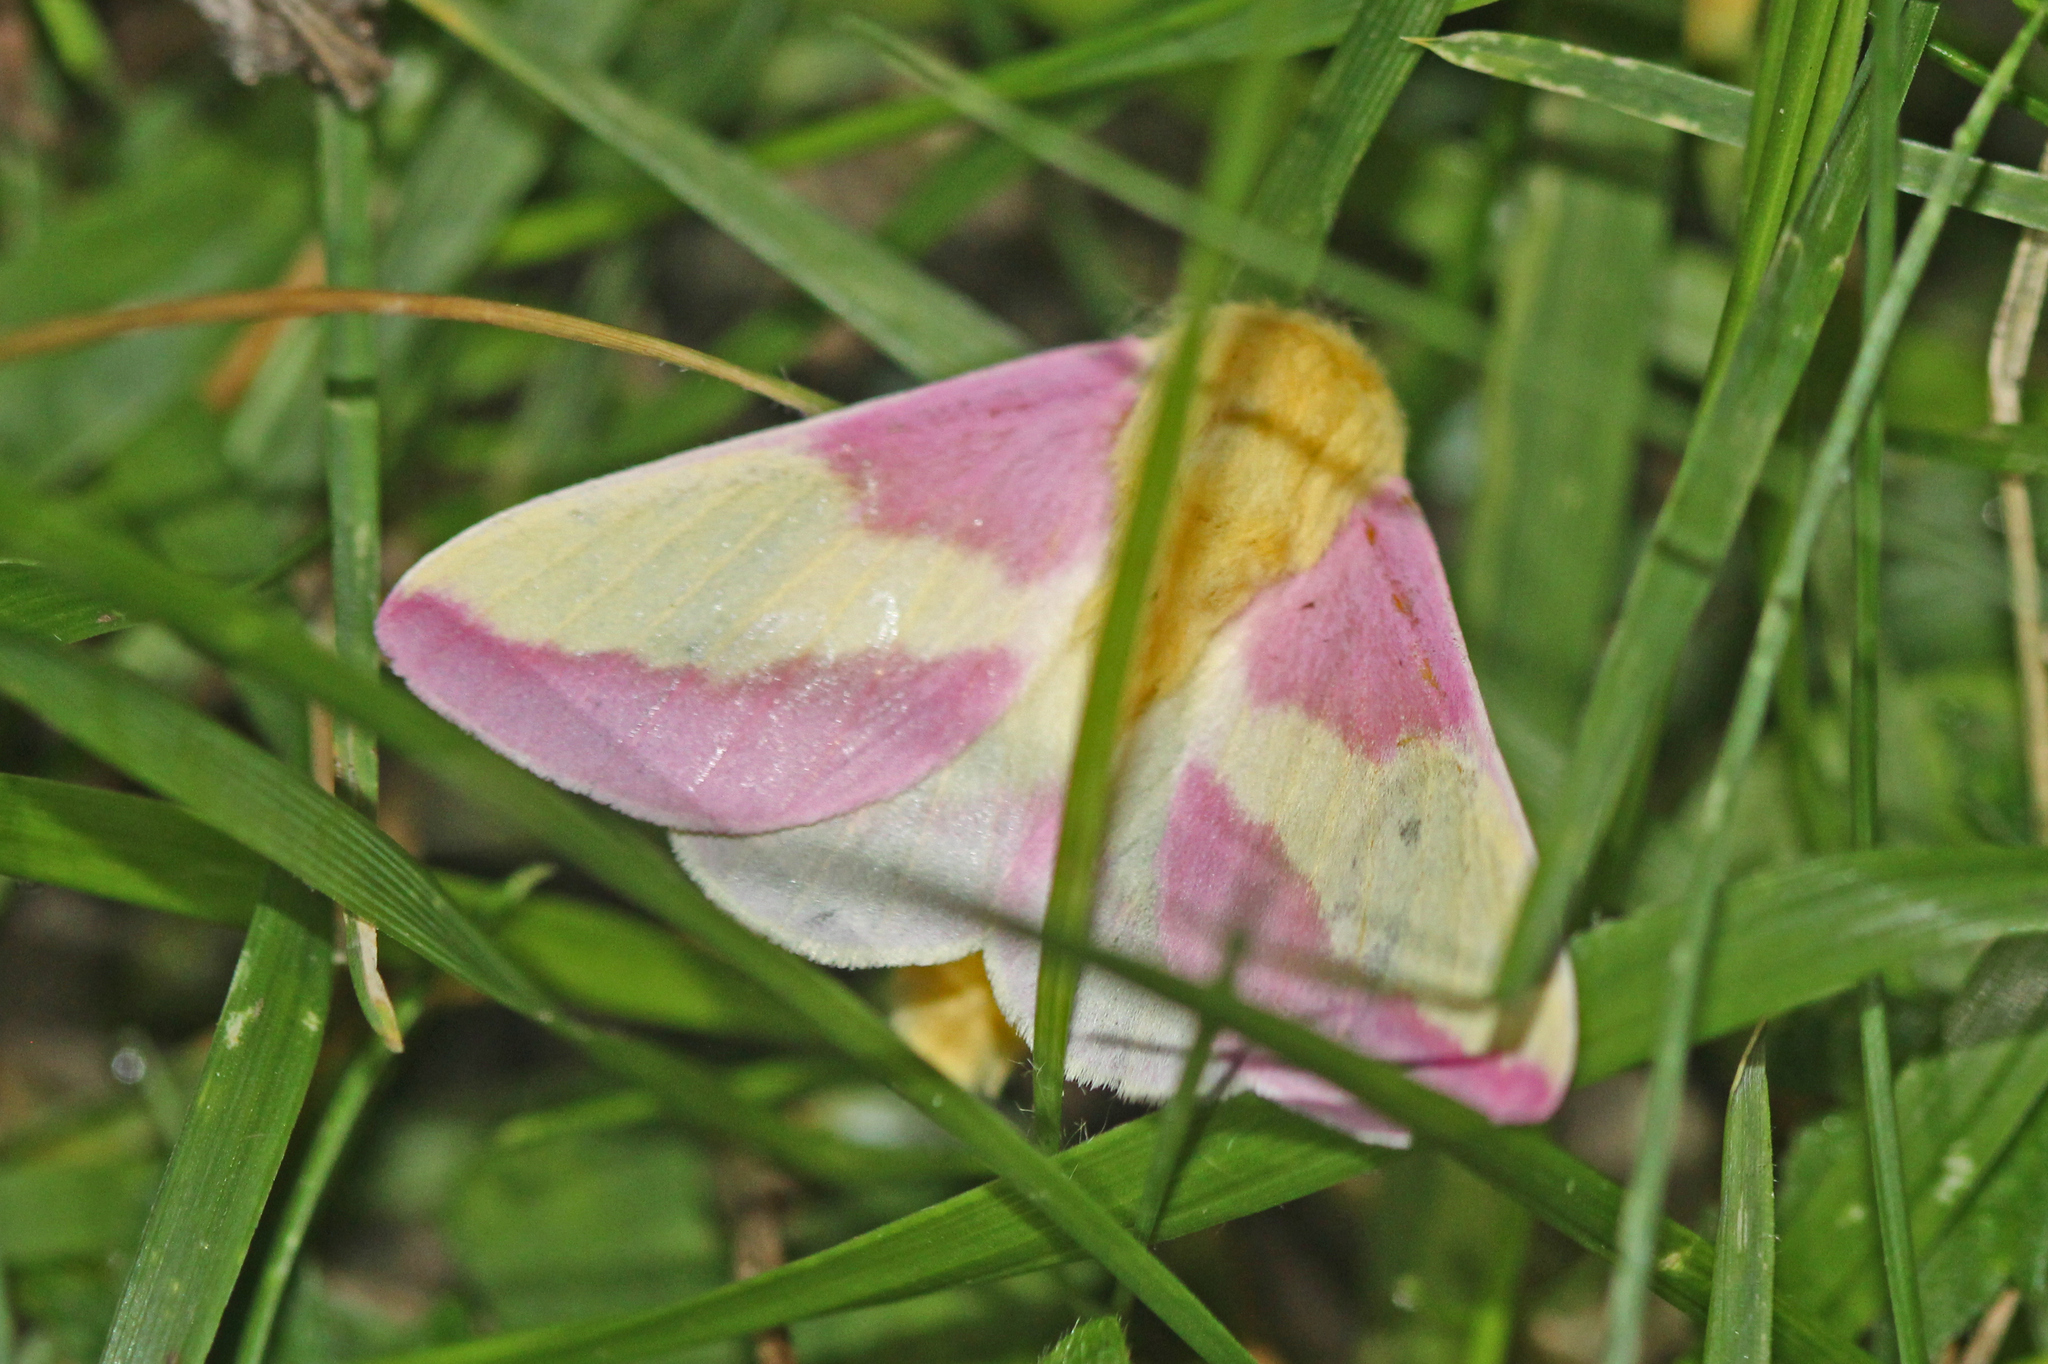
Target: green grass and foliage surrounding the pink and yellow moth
column 1621, row 343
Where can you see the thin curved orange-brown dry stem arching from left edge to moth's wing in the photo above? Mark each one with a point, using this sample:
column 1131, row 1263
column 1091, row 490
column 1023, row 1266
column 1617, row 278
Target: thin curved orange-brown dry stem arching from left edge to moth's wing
column 263, row 304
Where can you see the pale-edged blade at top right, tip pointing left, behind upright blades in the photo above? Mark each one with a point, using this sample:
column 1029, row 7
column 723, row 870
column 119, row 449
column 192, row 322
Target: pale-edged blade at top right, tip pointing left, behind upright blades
column 1715, row 112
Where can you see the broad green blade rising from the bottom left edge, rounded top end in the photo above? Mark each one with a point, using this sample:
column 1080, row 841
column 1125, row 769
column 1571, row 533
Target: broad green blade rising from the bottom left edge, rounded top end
column 234, row 1140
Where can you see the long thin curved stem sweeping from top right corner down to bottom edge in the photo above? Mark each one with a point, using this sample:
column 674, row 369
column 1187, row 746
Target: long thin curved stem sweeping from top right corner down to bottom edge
column 1637, row 1234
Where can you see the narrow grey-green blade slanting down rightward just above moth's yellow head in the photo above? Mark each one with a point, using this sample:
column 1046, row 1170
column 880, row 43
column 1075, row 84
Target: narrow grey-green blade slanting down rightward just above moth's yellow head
column 1428, row 318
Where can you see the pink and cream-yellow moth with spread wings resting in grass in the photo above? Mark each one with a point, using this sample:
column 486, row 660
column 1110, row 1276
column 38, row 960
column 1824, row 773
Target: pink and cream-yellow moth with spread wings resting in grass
column 845, row 663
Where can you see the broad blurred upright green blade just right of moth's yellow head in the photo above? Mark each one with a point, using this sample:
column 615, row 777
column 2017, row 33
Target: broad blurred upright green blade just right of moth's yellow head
column 1562, row 398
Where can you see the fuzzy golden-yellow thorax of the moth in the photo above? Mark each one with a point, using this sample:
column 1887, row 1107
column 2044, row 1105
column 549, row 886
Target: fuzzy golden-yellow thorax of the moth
column 1291, row 427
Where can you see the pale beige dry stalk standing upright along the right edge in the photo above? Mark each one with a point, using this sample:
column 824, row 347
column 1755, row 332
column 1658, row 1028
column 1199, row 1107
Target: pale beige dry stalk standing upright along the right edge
column 2012, row 345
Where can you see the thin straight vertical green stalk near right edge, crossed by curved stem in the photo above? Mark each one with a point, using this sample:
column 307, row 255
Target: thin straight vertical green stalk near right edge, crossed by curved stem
column 1881, row 1105
